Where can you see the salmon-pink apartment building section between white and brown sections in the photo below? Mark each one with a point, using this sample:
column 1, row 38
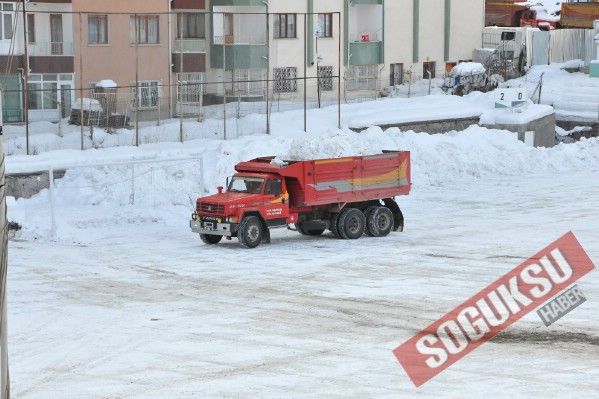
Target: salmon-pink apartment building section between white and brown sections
column 124, row 42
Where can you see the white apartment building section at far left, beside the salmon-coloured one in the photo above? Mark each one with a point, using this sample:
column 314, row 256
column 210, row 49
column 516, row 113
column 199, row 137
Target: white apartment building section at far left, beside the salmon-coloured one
column 51, row 59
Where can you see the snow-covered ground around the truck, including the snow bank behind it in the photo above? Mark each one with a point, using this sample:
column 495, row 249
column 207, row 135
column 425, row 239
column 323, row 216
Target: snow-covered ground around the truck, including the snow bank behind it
column 125, row 302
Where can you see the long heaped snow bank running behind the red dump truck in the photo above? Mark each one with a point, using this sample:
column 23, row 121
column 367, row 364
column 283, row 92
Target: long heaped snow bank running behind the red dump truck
column 103, row 196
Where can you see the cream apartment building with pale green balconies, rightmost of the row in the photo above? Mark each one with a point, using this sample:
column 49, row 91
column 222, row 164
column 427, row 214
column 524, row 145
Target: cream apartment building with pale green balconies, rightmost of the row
column 381, row 42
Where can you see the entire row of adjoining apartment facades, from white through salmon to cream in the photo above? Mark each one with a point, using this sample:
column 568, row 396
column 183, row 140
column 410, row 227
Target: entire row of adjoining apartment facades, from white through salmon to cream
column 172, row 56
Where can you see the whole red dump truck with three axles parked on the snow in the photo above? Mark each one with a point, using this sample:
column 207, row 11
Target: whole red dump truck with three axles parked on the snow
column 348, row 196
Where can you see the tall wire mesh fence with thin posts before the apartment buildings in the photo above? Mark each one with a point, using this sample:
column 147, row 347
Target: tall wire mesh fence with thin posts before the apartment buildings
column 180, row 76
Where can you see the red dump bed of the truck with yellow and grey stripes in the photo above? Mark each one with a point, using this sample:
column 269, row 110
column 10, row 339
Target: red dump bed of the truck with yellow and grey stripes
column 340, row 180
